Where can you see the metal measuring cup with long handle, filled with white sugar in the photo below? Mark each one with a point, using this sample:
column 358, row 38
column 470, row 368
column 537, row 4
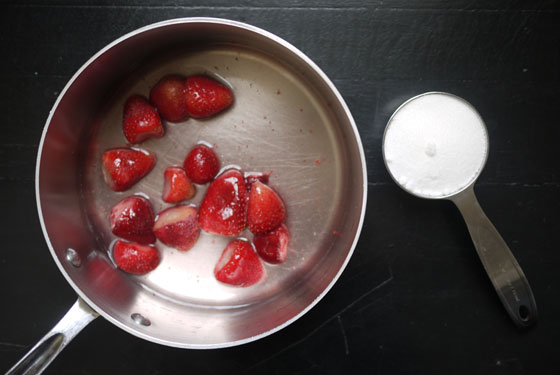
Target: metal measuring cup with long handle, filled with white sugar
column 409, row 152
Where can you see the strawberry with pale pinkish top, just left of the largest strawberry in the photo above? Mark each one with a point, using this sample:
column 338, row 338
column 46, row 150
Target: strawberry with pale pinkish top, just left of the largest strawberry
column 177, row 227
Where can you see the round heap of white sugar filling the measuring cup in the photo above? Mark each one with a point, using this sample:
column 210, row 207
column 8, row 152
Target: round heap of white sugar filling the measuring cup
column 435, row 145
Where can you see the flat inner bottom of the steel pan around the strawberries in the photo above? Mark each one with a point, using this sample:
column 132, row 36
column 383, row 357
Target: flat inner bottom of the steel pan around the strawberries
column 277, row 123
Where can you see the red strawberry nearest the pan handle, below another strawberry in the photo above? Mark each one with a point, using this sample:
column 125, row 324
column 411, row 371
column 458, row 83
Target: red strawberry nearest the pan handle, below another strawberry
column 135, row 258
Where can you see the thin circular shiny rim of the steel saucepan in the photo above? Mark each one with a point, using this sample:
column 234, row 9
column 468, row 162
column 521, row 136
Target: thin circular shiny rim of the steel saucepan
column 306, row 60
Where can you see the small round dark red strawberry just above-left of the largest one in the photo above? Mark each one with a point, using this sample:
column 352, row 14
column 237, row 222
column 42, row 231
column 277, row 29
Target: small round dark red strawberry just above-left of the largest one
column 201, row 164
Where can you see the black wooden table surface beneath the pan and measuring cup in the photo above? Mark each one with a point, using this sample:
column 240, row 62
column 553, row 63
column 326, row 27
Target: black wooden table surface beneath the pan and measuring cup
column 414, row 297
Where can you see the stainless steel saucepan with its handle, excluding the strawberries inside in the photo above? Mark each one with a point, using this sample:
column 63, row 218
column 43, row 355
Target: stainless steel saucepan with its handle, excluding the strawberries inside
column 287, row 117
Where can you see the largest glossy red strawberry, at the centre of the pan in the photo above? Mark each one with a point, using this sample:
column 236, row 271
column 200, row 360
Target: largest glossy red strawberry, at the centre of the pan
column 224, row 207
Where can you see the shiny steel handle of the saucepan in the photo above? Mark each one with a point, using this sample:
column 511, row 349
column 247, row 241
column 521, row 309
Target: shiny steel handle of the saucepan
column 43, row 353
